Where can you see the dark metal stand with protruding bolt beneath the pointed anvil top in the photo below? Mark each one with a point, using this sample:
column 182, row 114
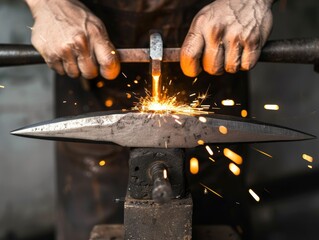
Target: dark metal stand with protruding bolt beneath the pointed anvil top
column 157, row 204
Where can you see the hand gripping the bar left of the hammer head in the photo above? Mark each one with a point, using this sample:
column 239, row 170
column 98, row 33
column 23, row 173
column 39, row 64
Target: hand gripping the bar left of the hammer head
column 72, row 40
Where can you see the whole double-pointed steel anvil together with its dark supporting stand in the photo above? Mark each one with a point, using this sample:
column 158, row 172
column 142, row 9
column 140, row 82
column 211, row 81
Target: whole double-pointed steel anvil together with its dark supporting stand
column 157, row 205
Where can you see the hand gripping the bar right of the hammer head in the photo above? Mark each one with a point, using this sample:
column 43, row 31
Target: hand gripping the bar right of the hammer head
column 227, row 35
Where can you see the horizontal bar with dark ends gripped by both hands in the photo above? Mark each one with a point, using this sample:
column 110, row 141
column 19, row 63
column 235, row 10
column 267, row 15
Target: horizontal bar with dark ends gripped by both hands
column 303, row 51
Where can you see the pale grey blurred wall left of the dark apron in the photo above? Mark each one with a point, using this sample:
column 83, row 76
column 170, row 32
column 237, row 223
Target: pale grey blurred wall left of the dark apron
column 26, row 166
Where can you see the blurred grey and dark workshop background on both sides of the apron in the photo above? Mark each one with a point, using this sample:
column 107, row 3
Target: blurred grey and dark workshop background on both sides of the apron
column 280, row 173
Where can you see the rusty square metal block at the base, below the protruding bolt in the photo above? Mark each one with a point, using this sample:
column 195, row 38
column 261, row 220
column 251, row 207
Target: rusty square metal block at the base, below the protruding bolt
column 146, row 220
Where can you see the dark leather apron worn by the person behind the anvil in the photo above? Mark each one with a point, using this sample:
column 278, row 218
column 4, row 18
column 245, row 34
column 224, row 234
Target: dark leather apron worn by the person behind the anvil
column 86, row 191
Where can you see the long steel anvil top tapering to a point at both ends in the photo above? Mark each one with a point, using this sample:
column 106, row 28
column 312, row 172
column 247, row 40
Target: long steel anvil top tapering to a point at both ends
column 135, row 129
